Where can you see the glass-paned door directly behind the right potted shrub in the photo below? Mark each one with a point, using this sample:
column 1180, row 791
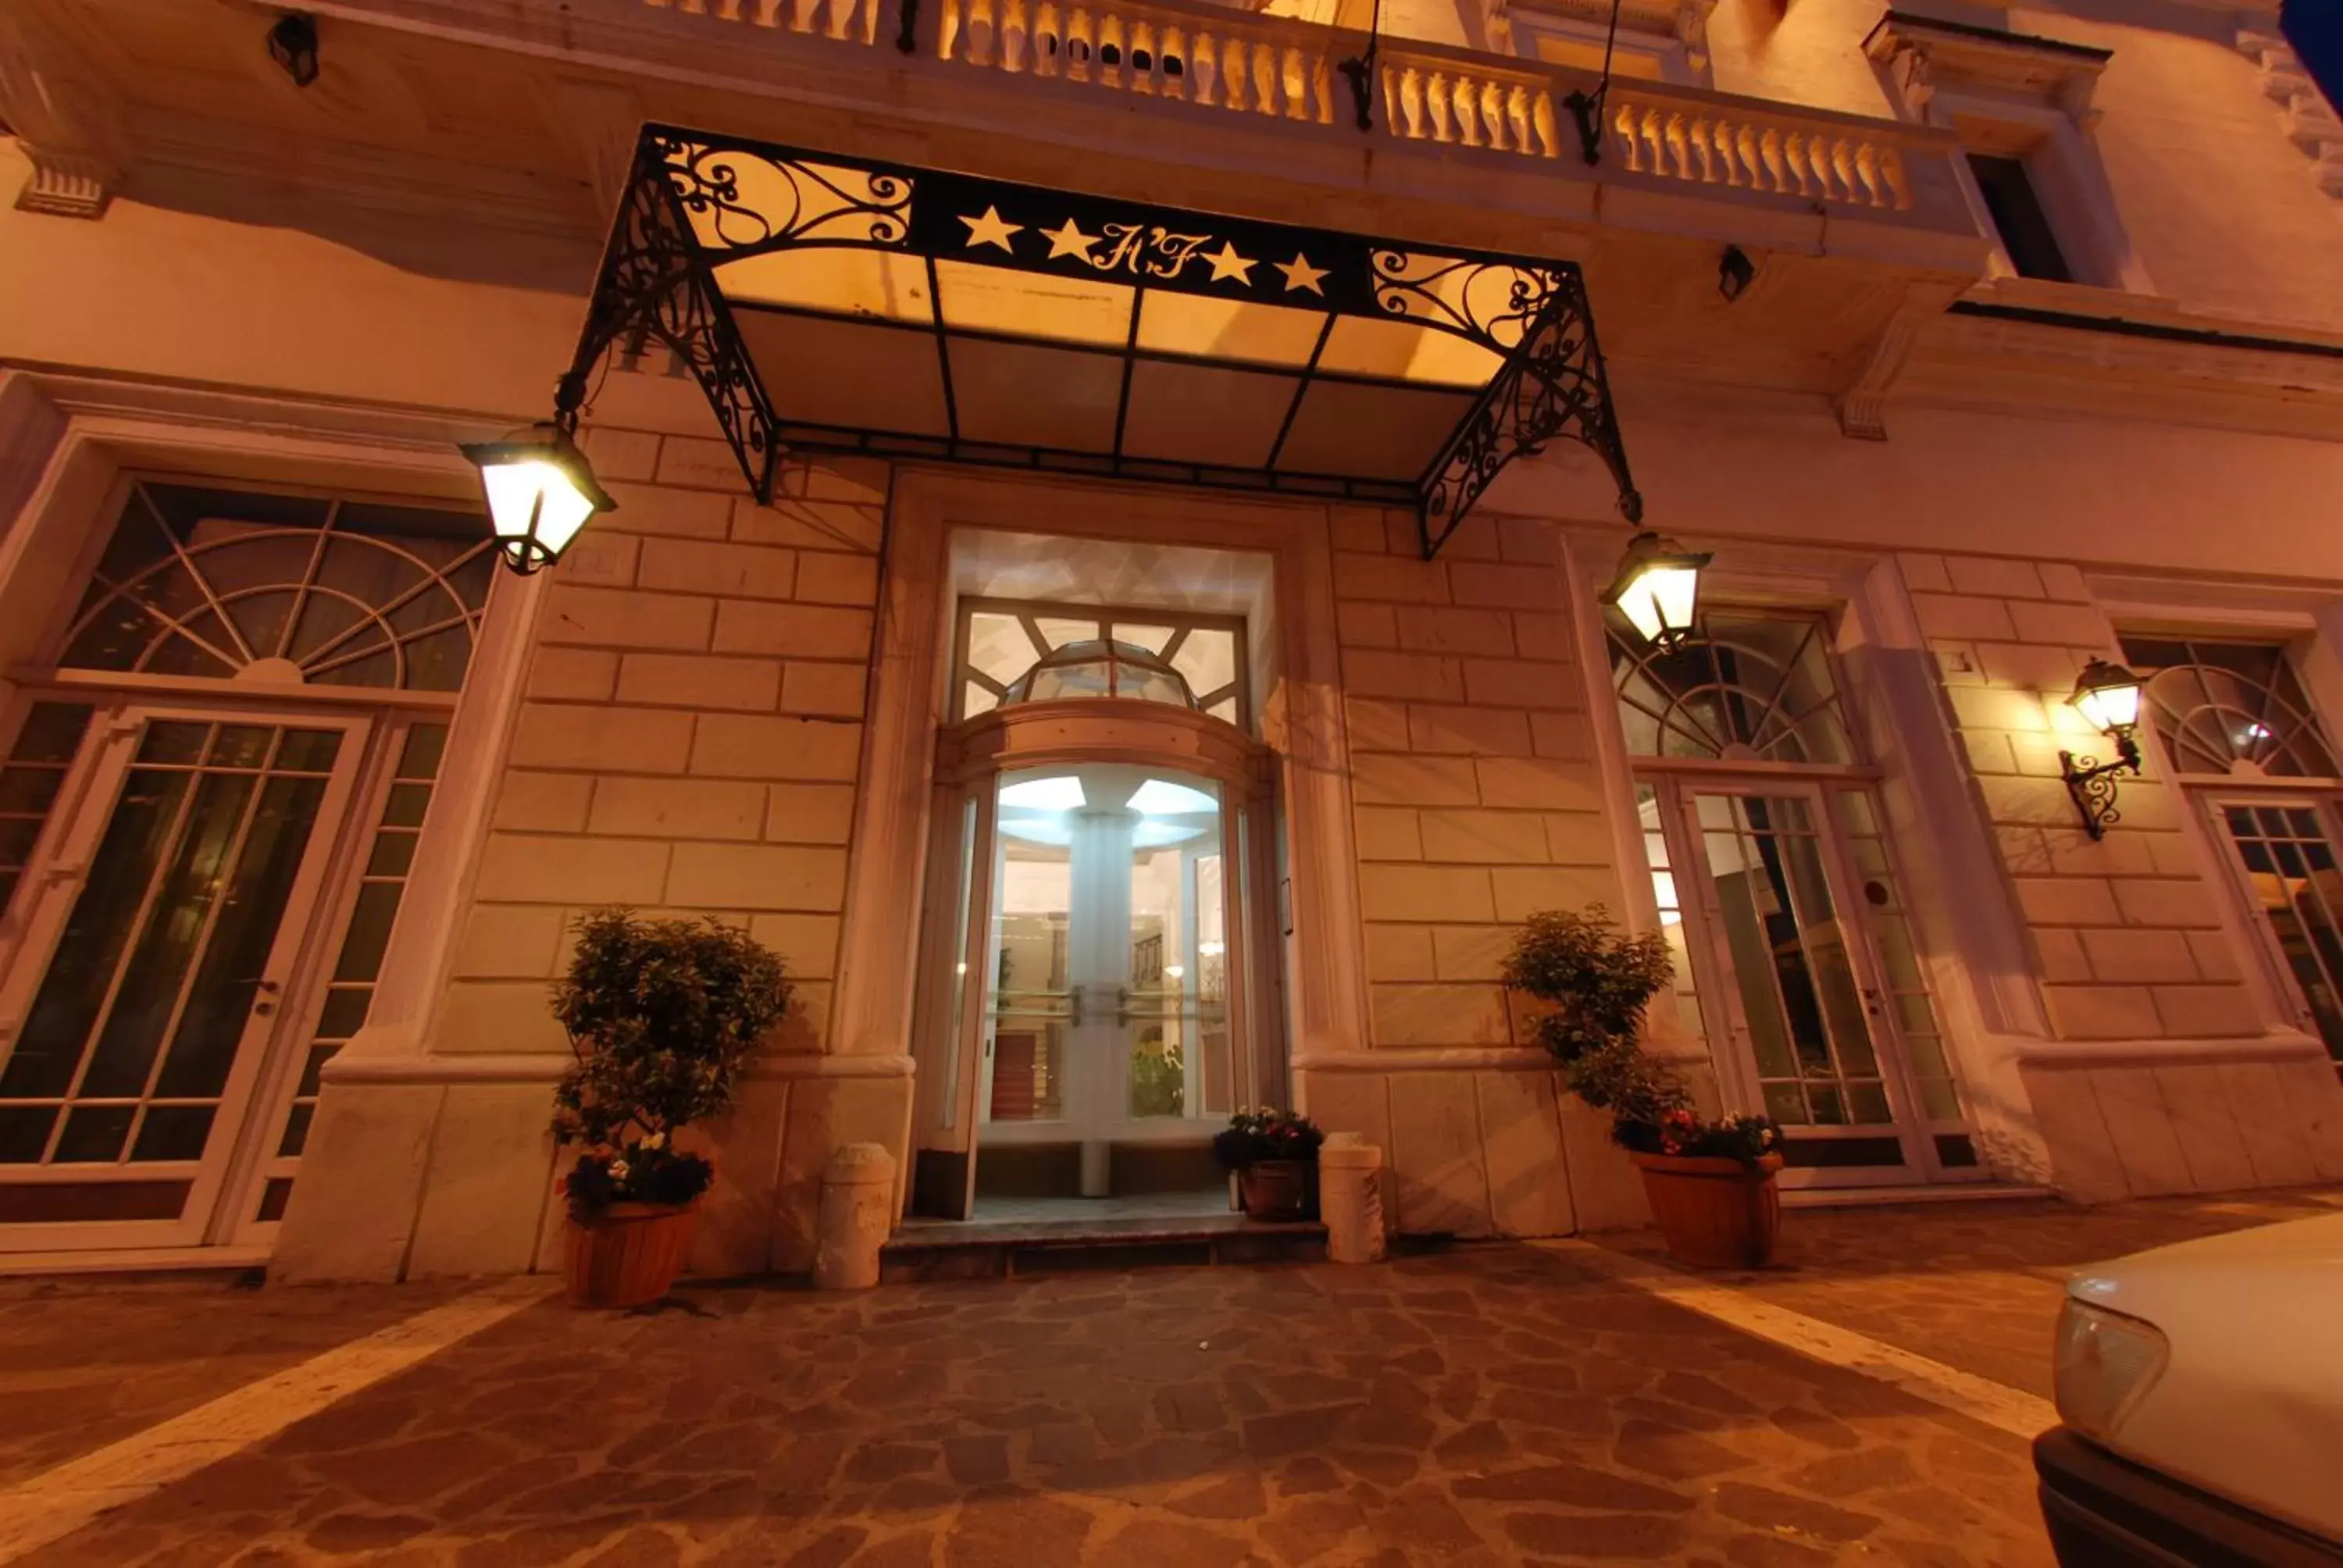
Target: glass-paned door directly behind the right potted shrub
column 1805, row 962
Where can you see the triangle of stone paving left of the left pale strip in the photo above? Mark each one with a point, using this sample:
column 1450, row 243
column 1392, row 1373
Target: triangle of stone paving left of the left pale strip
column 88, row 1361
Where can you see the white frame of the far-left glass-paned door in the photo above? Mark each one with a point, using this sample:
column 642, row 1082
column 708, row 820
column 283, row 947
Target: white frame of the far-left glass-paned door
column 55, row 882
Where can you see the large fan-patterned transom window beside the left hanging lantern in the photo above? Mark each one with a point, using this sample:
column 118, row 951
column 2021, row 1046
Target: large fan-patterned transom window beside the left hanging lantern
column 285, row 587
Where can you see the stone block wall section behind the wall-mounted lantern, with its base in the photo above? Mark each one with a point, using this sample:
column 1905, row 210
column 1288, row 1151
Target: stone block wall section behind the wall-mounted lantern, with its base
column 2126, row 932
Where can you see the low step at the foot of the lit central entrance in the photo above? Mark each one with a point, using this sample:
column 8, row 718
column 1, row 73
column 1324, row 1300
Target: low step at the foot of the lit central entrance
column 1002, row 1250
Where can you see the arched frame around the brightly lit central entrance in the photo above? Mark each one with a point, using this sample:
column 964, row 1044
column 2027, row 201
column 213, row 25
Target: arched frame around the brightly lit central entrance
column 969, row 765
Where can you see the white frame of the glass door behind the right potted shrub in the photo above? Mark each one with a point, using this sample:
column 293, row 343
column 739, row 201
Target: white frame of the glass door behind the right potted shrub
column 1719, row 988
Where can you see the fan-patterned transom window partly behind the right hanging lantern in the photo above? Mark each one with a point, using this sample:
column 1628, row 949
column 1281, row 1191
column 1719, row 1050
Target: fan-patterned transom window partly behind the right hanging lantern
column 1744, row 686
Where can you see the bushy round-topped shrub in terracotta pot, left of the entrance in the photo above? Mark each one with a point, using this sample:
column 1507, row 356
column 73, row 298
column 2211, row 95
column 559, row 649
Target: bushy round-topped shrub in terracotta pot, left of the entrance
column 662, row 1018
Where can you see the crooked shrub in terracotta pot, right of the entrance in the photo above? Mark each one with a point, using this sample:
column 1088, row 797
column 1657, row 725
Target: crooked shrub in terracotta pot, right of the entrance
column 1712, row 1182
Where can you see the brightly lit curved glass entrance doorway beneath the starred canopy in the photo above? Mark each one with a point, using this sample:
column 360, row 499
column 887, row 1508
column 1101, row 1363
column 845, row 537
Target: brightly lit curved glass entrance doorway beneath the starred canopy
column 1088, row 1016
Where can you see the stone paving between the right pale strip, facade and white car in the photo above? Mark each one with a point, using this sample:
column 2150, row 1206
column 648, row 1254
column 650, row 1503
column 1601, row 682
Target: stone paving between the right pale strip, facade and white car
column 1979, row 1286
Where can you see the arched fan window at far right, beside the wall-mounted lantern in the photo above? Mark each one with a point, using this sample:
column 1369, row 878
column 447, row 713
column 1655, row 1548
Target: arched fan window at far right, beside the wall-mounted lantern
column 2232, row 709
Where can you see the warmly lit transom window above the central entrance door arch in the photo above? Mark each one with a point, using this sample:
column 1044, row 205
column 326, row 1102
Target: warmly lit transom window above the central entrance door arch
column 1023, row 653
